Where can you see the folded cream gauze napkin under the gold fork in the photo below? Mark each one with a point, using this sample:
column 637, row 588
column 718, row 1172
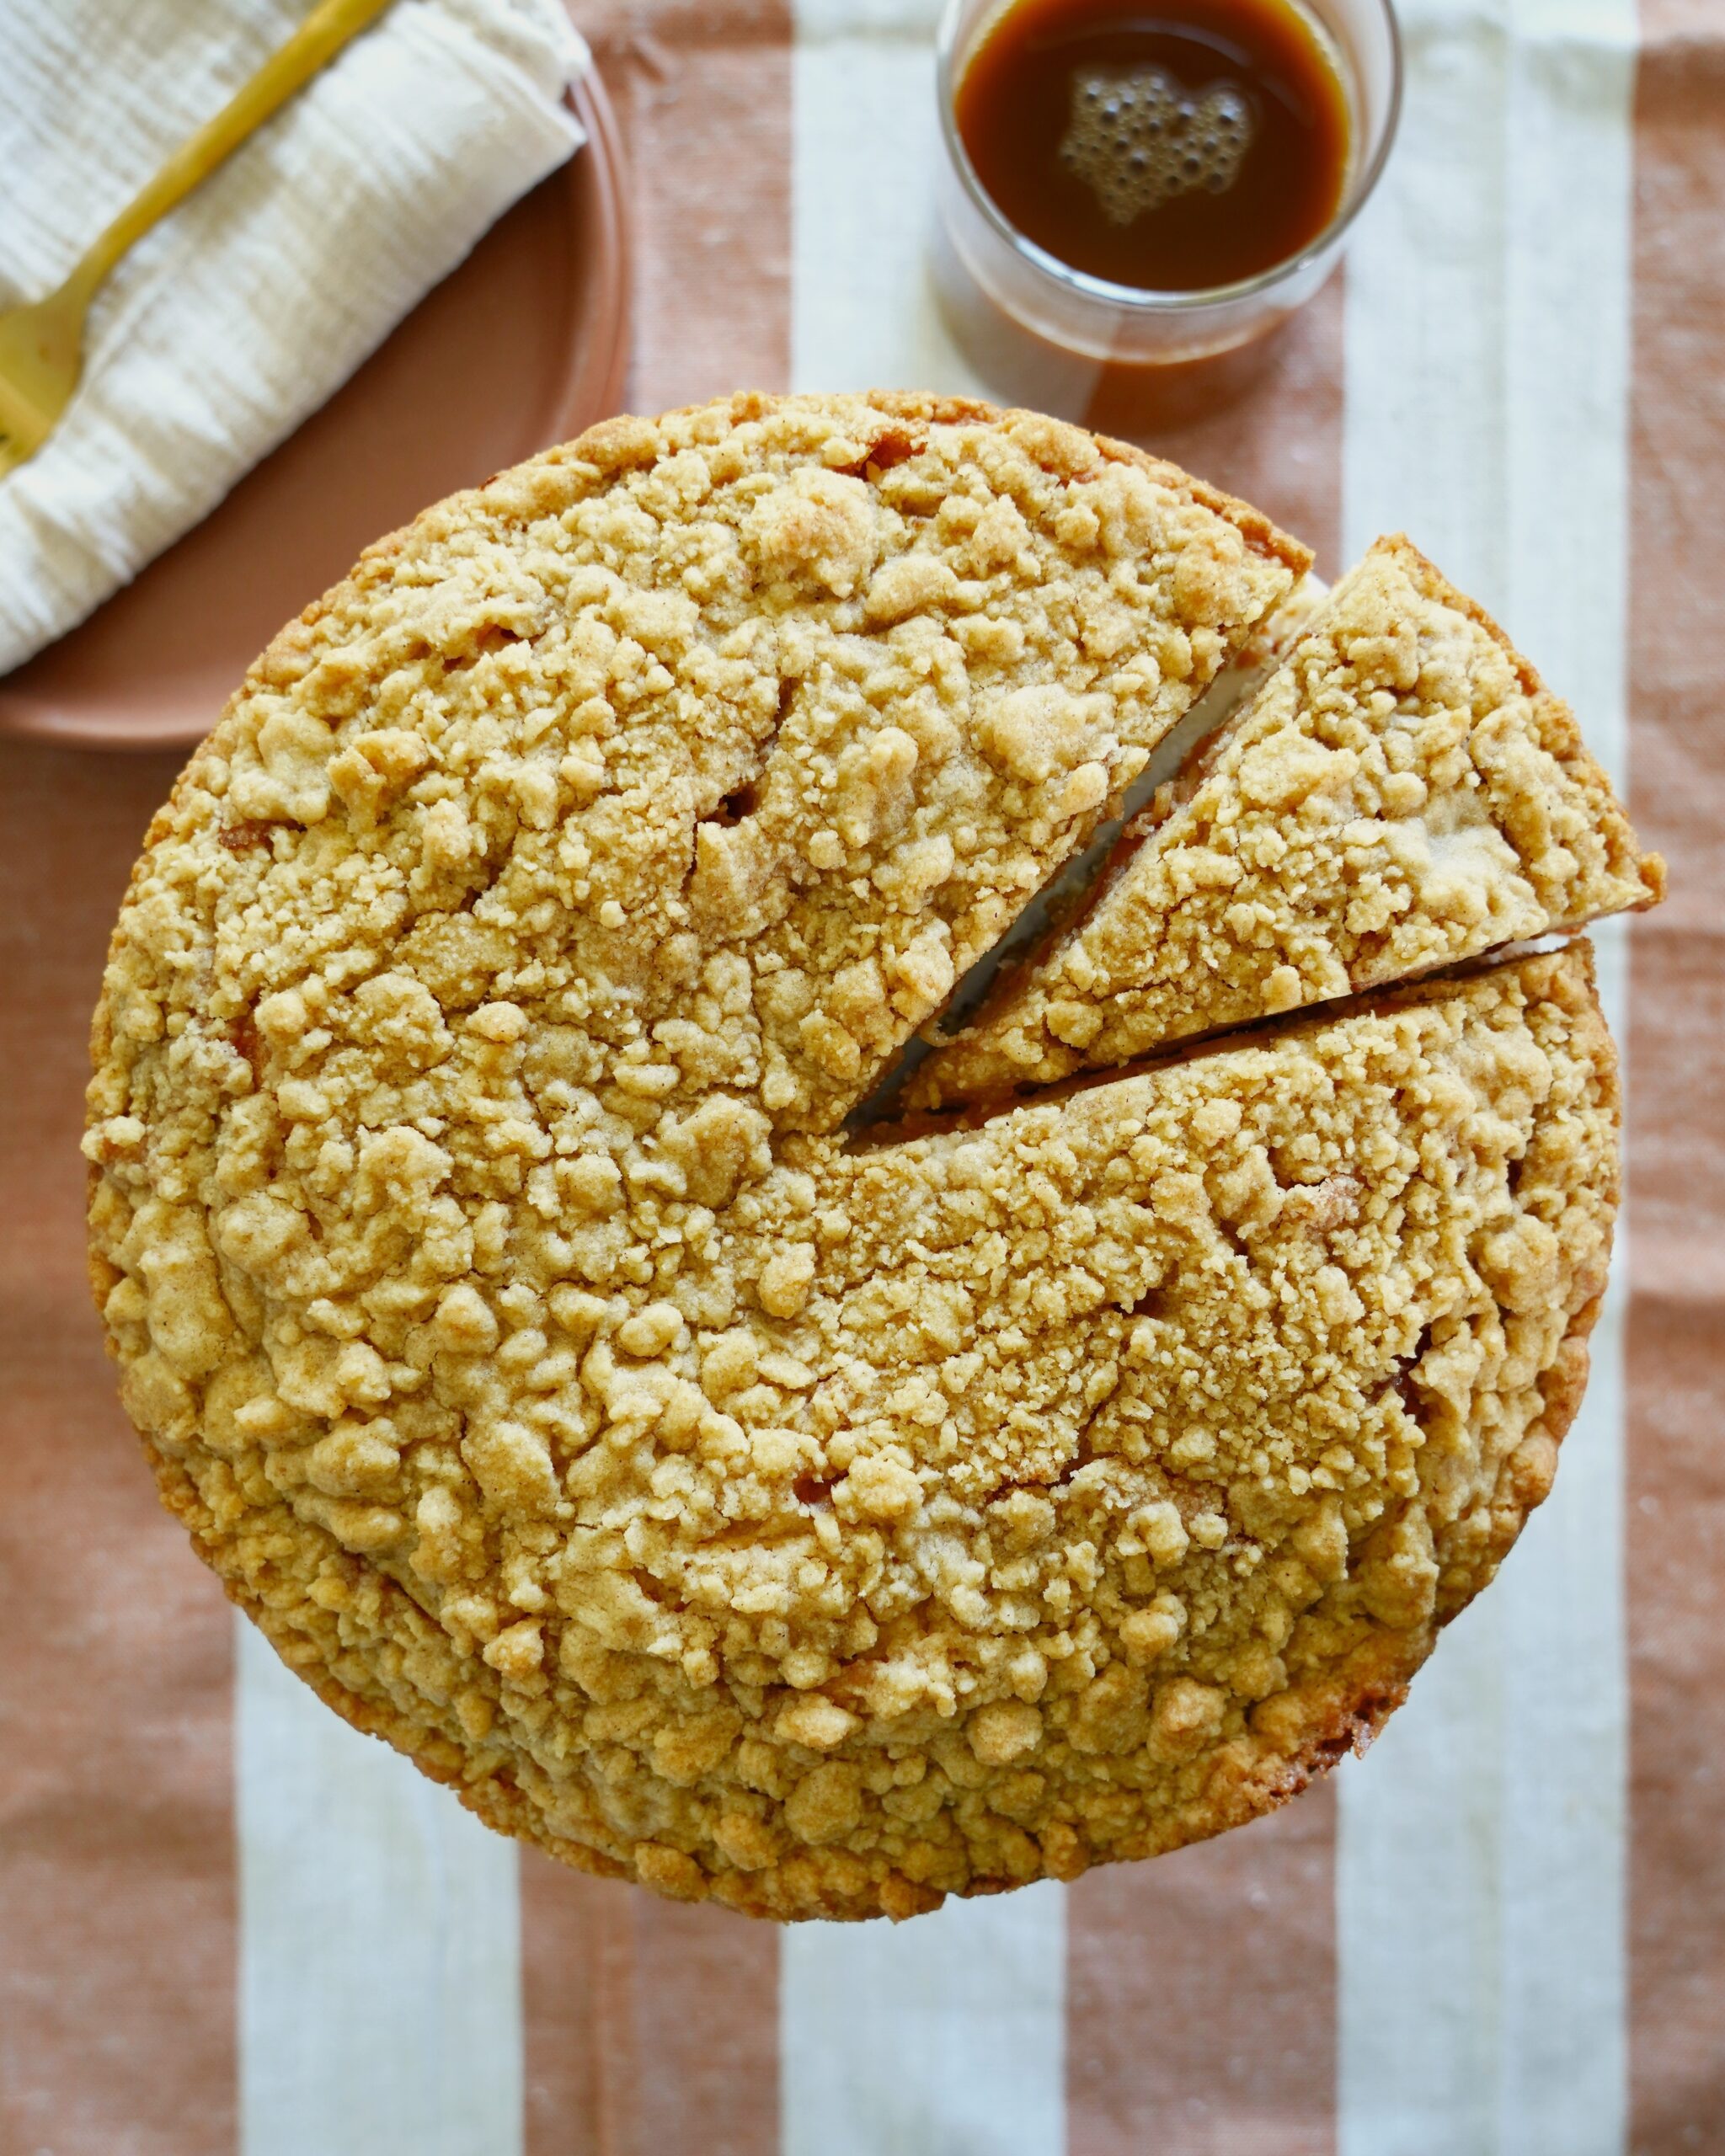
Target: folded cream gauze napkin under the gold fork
column 253, row 301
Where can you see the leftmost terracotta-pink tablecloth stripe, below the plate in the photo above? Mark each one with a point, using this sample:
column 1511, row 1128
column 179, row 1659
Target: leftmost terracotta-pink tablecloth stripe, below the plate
column 118, row 1883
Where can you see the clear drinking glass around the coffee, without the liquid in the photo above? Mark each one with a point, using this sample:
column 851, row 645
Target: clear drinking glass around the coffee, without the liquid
column 986, row 268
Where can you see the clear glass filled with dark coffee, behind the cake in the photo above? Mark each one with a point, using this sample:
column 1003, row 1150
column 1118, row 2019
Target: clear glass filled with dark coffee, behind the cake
column 1150, row 182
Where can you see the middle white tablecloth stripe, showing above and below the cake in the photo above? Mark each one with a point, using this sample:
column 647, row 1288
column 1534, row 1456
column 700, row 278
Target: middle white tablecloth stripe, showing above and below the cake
column 946, row 2036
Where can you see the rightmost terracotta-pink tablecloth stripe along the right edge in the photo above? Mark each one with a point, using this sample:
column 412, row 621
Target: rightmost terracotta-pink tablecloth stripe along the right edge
column 1676, row 1096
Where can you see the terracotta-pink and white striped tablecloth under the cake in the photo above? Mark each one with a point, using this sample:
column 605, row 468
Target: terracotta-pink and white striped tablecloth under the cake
column 232, row 1924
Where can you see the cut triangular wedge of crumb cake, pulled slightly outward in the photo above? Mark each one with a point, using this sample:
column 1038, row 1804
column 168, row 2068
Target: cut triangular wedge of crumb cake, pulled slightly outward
column 1400, row 794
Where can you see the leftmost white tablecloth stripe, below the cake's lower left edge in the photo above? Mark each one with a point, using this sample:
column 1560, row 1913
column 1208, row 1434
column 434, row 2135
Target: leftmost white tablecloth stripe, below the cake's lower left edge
column 381, row 1989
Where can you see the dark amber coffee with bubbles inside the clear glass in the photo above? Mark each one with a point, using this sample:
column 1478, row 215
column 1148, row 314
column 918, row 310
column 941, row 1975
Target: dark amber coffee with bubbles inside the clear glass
column 1172, row 146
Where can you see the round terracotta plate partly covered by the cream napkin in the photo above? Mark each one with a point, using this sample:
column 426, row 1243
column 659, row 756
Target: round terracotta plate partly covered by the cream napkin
column 523, row 346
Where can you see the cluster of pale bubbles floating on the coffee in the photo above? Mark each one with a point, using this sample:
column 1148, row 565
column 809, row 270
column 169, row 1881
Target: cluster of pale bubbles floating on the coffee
column 1140, row 139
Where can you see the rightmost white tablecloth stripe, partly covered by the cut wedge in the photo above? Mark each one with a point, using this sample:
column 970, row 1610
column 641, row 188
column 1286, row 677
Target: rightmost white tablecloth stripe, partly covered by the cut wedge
column 1482, row 1842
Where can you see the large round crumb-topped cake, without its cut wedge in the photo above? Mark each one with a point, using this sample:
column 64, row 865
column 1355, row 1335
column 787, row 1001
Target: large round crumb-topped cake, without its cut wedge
column 760, row 1512
